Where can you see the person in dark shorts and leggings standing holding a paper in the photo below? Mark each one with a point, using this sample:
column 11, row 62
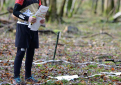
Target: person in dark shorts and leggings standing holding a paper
column 26, row 39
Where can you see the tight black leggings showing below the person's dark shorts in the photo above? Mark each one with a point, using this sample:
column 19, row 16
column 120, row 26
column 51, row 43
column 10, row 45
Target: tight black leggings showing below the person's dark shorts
column 28, row 62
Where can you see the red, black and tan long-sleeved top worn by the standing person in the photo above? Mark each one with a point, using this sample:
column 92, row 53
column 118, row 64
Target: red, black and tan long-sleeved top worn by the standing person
column 25, row 8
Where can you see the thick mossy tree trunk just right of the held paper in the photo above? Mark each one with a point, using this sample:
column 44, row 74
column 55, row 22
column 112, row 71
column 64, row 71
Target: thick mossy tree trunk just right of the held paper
column 52, row 11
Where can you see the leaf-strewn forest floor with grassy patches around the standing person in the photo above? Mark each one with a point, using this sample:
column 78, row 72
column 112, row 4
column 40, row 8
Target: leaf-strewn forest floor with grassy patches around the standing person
column 81, row 54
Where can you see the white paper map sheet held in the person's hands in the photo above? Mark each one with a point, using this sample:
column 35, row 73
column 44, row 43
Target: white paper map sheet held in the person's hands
column 40, row 14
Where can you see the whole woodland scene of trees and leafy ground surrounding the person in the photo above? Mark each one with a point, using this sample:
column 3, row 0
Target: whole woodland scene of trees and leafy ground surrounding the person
column 89, row 46
